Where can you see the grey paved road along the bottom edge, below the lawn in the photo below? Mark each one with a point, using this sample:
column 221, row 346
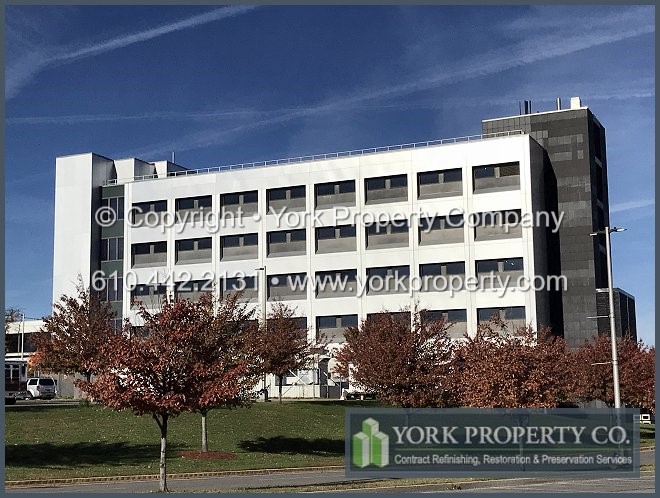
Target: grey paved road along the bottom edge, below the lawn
column 645, row 484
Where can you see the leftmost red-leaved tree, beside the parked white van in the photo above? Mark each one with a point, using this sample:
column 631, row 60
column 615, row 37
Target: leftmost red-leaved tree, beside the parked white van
column 72, row 337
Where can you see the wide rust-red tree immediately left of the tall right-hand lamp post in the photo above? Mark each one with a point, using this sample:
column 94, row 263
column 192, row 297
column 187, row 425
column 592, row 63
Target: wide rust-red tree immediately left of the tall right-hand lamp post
column 497, row 368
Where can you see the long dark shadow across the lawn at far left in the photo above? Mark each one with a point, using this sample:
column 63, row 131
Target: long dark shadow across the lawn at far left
column 76, row 455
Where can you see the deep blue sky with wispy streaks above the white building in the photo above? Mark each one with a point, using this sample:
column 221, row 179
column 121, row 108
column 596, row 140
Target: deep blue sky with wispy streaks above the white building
column 221, row 85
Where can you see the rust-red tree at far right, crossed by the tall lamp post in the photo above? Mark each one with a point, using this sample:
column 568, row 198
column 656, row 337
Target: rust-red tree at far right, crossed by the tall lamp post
column 636, row 372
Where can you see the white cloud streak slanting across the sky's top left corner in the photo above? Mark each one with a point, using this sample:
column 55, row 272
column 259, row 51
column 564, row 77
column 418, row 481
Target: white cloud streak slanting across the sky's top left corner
column 24, row 68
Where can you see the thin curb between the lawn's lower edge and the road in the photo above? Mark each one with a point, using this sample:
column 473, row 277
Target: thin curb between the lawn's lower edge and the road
column 186, row 475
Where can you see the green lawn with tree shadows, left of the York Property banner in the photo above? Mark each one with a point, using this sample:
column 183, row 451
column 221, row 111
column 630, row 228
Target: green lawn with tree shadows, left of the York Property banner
column 58, row 442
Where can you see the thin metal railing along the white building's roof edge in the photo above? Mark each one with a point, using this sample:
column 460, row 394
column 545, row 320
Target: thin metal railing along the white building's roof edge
column 320, row 157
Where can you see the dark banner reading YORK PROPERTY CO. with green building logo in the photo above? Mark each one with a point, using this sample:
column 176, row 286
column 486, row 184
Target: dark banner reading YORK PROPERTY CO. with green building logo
column 472, row 442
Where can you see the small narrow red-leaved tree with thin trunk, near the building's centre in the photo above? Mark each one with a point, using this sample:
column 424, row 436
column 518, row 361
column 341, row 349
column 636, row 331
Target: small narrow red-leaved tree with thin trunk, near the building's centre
column 284, row 345
